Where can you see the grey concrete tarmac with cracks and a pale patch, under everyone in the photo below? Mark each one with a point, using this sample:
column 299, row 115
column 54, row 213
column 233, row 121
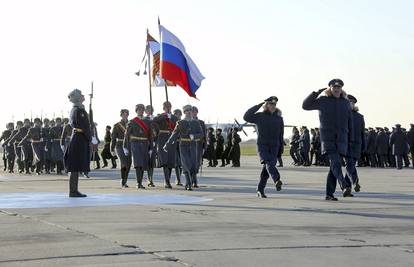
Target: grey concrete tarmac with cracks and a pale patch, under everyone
column 221, row 224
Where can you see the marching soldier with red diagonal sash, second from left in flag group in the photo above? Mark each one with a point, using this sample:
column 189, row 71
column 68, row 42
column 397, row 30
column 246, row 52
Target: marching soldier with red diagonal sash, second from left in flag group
column 138, row 142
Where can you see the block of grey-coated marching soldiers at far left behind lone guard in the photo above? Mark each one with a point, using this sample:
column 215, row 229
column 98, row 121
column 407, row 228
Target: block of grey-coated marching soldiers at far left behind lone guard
column 35, row 146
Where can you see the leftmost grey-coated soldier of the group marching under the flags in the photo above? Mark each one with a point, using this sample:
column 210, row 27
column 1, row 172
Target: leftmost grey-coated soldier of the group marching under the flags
column 118, row 135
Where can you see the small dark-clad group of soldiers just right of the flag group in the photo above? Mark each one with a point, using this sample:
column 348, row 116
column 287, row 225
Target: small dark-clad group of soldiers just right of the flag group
column 217, row 149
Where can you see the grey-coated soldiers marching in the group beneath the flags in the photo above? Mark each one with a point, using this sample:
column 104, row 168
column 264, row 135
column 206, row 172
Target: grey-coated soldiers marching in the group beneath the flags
column 167, row 141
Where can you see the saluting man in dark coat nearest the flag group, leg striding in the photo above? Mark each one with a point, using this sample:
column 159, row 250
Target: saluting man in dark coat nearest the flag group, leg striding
column 270, row 128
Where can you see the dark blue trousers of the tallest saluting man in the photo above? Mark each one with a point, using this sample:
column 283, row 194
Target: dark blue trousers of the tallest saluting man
column 335, row 174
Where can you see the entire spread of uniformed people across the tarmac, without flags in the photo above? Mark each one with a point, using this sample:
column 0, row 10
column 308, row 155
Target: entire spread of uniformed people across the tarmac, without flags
column 178, row 141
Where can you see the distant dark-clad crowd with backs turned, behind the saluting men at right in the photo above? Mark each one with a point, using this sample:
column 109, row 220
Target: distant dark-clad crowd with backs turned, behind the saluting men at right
column 381, row 148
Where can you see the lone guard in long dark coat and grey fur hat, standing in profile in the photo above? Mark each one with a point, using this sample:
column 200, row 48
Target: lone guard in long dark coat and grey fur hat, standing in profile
column 77, row 154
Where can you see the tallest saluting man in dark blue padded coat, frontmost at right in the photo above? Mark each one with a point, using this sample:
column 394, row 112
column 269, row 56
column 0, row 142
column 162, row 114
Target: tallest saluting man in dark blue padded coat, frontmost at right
column 335, row 116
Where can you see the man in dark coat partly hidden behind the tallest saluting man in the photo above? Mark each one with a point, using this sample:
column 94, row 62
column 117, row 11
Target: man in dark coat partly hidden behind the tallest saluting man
column 357, row 146
